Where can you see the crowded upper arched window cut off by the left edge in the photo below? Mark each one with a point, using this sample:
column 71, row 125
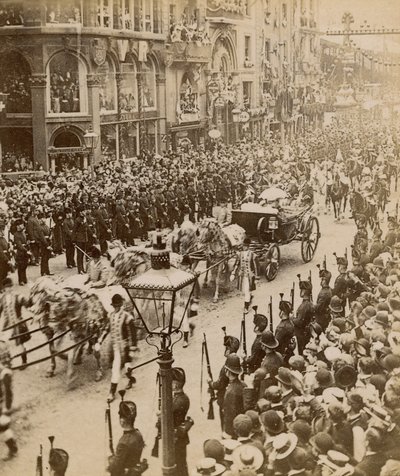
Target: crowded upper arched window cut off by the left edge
column 14, row 81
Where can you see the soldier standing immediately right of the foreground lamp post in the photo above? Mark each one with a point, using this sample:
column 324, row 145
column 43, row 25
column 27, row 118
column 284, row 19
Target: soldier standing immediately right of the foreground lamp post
column 182, row 423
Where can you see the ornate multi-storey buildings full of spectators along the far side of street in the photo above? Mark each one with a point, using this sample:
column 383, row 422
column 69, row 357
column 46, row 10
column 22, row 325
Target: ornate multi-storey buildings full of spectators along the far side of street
column 146, row 74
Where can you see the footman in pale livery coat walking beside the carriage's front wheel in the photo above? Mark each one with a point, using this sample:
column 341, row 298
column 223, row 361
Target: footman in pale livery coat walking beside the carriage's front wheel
column 246, row 267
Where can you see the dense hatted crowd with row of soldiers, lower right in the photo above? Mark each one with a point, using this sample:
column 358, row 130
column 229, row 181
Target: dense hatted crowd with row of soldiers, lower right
column 320, row 394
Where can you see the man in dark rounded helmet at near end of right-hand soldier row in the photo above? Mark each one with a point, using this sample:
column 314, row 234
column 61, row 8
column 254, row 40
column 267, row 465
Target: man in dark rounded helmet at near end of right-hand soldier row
column 233, row 400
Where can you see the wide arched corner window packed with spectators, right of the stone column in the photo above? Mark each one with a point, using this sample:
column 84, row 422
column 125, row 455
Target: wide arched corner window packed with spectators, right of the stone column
column 67, row 91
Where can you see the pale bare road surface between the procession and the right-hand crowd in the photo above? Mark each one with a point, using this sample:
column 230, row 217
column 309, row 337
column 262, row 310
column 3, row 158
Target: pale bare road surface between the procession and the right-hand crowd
column 77, row 417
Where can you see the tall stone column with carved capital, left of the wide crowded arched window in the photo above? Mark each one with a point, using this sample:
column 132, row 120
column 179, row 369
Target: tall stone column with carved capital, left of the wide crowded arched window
column 38, row 93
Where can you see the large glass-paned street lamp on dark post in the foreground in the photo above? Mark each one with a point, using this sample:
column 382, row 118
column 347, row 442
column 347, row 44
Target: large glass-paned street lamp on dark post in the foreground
column 161, row 298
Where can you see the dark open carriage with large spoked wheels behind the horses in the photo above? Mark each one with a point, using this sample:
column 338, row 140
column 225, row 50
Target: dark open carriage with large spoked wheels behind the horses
column 268, row 228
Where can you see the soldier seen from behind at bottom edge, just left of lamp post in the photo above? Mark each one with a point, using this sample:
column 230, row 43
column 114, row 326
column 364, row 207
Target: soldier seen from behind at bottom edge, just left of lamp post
column 127, row 457
